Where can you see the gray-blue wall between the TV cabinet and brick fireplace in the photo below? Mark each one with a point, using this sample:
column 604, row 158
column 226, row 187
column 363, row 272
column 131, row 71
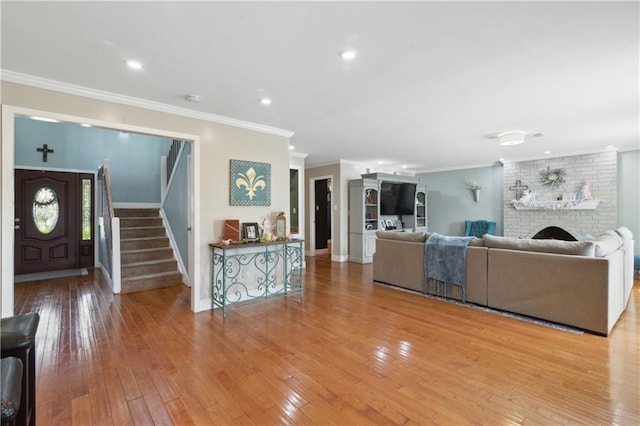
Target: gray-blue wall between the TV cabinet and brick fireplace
column 450, row 203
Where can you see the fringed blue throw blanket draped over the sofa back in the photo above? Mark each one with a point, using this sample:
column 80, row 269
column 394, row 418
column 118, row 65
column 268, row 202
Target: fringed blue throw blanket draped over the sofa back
column 445, row 264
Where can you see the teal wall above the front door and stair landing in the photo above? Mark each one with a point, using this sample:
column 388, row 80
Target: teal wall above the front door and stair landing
column 134, row 159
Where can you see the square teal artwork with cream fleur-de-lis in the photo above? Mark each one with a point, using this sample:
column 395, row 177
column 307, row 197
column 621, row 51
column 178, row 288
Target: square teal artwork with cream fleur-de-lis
column 250, row 183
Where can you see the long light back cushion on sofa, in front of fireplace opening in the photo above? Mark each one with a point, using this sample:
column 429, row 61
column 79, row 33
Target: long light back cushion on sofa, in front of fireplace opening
column 577, row 248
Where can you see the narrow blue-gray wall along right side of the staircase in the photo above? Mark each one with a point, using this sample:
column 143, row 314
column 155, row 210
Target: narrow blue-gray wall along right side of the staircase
column 176, row 205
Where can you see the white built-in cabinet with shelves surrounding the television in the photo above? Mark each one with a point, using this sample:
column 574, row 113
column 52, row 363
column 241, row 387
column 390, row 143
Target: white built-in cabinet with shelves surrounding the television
column 365, row 218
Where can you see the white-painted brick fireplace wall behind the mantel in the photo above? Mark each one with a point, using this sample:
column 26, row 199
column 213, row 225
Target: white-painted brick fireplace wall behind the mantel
column 599, row 170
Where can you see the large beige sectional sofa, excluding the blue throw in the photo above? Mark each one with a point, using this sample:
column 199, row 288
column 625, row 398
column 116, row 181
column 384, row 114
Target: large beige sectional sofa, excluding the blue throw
column 583, row 284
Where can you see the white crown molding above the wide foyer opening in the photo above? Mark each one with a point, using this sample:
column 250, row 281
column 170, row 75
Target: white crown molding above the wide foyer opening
column 72, row 89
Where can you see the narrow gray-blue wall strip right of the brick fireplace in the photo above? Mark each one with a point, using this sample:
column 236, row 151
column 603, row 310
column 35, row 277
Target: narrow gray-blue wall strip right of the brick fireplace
column 629, row 194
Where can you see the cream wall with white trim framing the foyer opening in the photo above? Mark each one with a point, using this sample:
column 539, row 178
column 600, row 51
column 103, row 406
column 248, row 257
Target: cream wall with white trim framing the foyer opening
column 214, row 145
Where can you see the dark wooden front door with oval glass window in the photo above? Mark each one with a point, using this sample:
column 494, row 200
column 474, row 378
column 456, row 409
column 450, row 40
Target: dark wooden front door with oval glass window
column 49, row 230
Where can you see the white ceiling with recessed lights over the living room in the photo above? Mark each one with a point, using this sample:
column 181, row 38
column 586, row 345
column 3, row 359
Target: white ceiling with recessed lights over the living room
column 430, row 82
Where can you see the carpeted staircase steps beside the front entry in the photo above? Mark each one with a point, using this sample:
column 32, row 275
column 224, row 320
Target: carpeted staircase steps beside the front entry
column 146, row 257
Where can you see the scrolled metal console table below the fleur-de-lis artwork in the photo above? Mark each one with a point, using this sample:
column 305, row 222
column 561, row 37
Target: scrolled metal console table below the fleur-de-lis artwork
column 249, row 271
